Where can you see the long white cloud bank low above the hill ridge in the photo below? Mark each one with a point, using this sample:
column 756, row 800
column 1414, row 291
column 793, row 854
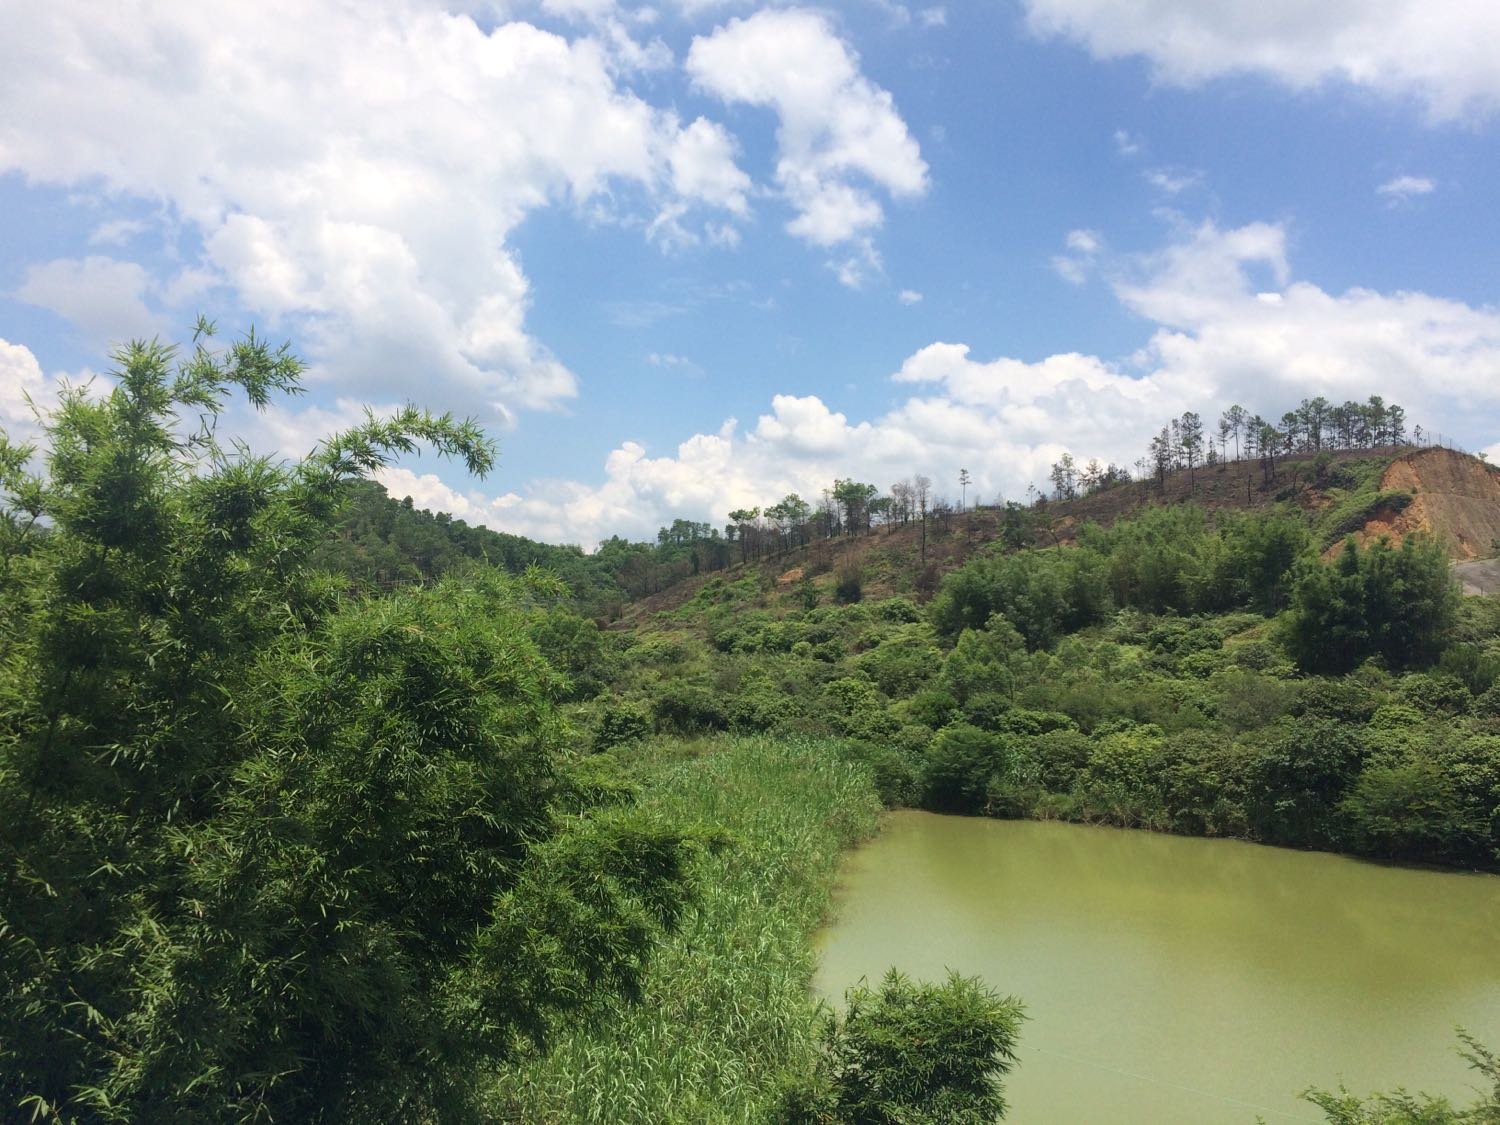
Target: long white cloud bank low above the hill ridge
column 1229, row 323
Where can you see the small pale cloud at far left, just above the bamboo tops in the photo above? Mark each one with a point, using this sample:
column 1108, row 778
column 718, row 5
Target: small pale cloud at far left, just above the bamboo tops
column 104, row 298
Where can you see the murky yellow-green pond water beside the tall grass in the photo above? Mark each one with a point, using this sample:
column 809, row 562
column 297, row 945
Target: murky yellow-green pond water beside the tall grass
column 1174, row 980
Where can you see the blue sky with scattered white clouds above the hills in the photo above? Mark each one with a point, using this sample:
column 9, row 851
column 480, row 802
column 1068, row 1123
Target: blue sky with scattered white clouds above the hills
column 691, row 257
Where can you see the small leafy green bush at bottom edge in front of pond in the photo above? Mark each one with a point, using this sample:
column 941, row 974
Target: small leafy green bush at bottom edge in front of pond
column 911, row 1054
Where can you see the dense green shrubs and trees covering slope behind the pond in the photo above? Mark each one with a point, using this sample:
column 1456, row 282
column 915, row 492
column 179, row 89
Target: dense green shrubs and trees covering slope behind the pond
column 1169, row 673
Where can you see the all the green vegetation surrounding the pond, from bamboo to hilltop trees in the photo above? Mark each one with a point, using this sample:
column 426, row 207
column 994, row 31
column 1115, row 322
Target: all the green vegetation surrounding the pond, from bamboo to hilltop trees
column 322, row 808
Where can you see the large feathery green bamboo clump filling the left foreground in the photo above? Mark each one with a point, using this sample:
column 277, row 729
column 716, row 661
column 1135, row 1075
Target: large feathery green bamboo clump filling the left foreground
column 269, row 856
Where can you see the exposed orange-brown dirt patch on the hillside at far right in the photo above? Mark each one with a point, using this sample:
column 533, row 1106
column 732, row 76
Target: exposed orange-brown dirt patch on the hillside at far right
column 1454, row 497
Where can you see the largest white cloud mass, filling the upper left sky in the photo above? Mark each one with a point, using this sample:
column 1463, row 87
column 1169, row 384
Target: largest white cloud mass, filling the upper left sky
column 355, row 169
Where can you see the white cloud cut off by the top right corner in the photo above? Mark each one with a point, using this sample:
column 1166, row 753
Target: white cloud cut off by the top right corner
column 1436, row 52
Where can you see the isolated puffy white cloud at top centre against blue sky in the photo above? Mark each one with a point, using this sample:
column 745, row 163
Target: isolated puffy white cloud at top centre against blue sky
column 838, row 133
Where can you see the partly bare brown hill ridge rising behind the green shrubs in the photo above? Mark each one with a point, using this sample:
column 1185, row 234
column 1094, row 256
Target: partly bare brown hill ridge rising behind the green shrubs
column 1390, row 491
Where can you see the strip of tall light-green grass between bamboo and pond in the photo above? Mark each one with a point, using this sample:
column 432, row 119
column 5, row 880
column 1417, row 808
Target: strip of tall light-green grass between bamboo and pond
column 727, row 1010
